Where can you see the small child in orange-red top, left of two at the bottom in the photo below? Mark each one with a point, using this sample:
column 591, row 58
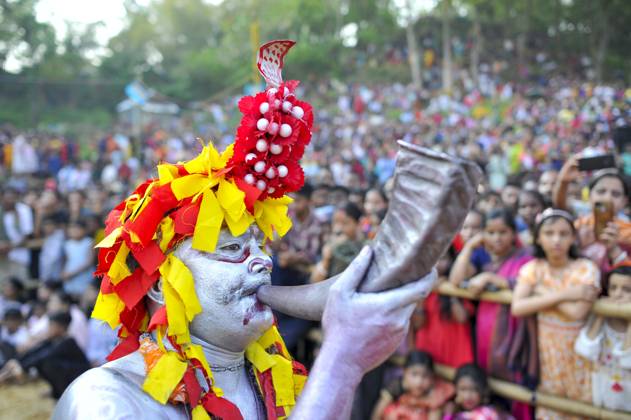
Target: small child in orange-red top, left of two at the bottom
column 418, row 395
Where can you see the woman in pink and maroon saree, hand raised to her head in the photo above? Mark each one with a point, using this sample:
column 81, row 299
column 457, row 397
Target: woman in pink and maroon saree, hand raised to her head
column 505, row 346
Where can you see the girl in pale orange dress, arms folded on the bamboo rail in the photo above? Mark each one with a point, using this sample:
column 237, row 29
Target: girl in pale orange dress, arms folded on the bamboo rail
column 559, row 288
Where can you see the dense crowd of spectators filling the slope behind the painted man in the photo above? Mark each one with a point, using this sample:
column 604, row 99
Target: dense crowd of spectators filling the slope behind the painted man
column 528, row 139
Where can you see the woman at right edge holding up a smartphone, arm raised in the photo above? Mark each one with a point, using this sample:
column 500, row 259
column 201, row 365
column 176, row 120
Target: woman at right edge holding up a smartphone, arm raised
column 604, row 234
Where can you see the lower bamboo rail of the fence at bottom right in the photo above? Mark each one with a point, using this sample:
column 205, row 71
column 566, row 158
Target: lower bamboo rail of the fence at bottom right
column 523, row 394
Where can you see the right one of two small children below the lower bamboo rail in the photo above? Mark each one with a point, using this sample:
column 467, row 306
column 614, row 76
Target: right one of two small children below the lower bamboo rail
column 472, row 396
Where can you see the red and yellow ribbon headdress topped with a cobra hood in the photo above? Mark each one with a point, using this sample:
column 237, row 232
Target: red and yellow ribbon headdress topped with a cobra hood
column 245, row 184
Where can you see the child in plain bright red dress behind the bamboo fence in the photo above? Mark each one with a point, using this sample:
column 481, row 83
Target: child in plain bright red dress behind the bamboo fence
column 442, row 323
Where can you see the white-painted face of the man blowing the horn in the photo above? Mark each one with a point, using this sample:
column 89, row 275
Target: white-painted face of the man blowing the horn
column 226, row 282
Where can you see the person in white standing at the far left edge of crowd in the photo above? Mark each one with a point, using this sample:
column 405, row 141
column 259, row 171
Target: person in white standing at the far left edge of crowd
column 17, row 219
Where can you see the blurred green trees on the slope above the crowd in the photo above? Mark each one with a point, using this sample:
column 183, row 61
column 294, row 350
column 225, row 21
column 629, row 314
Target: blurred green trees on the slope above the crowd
column 193, row 50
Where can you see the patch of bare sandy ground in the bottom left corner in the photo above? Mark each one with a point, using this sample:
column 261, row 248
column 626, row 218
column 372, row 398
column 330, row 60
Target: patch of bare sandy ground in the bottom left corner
column 25, row 401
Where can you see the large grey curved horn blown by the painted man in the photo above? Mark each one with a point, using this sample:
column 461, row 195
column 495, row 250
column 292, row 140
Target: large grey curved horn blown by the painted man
column 431, row 197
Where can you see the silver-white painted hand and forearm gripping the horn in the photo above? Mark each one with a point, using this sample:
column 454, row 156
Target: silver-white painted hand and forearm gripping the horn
column 361, row 330
